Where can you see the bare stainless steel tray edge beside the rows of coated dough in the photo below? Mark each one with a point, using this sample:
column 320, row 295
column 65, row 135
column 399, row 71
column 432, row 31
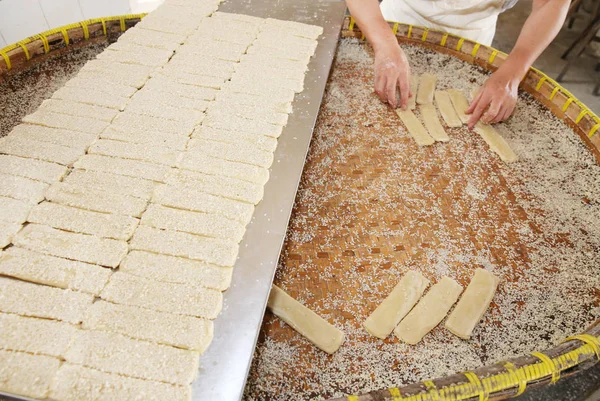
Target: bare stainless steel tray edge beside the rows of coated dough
column 224, row 367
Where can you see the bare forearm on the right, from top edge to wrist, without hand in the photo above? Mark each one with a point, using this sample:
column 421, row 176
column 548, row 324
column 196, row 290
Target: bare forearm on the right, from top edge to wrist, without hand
column 542, row 26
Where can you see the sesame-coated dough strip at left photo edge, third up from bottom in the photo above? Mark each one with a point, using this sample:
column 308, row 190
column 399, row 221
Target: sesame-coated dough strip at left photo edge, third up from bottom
column 34, row 300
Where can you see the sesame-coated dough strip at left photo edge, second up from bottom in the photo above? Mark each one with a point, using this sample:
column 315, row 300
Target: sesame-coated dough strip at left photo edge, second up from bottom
column 36, row 336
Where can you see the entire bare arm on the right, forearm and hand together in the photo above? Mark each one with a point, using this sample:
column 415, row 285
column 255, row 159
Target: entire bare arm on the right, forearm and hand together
column 499, row 93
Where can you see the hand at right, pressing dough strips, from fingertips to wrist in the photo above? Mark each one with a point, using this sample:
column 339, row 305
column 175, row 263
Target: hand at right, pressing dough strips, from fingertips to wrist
column 496, row 100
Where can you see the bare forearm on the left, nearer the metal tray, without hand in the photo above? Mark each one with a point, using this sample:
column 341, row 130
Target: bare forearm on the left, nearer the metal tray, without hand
column 371, row 22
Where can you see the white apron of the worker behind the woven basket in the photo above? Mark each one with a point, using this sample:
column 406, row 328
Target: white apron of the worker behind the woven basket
column 471, row 19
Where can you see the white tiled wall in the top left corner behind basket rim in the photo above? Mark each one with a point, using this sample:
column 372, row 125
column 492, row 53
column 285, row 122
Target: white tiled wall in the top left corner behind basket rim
column 22, row 18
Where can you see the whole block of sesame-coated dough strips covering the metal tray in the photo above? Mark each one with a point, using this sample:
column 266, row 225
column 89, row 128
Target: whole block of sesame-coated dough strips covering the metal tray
column 124, row 197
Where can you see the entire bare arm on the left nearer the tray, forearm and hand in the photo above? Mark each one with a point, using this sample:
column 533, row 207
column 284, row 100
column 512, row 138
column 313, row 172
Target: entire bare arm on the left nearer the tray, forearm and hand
column 392, row 70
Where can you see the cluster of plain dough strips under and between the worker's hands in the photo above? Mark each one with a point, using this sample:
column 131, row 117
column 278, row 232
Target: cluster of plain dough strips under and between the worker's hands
column 452, row 105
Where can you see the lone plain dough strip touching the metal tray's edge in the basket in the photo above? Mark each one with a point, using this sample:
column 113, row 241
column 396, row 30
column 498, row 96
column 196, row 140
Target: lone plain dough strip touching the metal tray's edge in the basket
column 306, row 322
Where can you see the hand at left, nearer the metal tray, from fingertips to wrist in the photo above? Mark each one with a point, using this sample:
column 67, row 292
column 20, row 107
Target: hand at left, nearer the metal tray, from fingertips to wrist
column 392, row 72
